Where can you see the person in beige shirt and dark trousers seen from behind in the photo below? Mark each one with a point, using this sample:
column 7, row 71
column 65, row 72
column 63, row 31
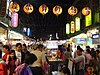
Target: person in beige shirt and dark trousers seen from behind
column 39, row 66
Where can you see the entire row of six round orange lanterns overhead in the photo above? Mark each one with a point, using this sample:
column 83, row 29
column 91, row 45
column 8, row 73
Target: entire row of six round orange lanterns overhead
column 43, row 9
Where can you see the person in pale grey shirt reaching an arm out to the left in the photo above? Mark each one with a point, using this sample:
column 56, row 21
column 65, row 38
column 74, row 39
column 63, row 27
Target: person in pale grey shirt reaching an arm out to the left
column 79, row 62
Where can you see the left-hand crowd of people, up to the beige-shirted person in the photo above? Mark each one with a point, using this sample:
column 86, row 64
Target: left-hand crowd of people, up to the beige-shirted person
column 20, row 61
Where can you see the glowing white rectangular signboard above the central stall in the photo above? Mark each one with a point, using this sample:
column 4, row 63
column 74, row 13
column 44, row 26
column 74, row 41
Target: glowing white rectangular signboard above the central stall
column 52, row 44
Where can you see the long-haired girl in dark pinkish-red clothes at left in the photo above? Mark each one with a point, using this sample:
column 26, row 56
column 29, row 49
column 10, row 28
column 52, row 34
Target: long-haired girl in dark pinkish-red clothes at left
column 12, row 61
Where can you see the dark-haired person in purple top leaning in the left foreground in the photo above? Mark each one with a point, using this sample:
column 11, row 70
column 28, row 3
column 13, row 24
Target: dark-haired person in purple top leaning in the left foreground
column 24, row 69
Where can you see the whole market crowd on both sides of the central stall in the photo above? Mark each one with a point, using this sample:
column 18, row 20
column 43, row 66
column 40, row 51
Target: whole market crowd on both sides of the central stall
column 21, row 61
